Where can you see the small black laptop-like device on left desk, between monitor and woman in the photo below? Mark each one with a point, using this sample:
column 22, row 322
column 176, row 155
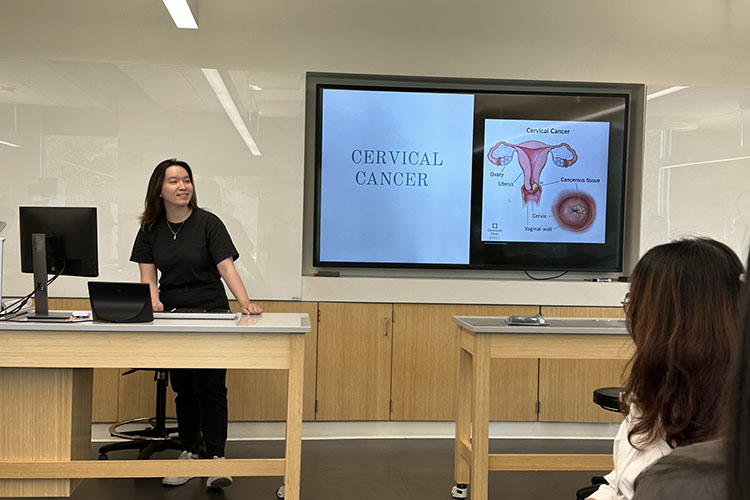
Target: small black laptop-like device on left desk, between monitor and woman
column 120, row 302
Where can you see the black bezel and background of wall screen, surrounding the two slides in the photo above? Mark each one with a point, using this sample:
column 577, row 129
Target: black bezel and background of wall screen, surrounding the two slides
column 606, row 257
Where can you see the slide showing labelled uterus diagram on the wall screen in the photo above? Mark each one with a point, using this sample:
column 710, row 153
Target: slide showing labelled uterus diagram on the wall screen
column 544, row 181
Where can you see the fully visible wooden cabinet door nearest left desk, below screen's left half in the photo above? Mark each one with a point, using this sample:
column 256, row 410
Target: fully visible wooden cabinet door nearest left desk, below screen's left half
column 354, row 361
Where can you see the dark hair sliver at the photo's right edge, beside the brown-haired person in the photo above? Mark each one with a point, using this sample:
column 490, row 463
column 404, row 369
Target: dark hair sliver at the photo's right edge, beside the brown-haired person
column 738, row 444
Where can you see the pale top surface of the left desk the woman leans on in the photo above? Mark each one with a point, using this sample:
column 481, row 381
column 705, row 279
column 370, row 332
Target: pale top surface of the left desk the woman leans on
column 262, row 323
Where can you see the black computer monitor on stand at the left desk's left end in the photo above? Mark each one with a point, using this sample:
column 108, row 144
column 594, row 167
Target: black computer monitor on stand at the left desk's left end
column 58, row 241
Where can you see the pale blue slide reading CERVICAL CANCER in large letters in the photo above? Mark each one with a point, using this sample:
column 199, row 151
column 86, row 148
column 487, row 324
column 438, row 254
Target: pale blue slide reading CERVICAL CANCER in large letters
column 395, row 183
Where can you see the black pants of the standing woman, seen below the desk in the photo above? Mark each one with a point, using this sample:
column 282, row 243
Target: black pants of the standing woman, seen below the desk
column 201, row 409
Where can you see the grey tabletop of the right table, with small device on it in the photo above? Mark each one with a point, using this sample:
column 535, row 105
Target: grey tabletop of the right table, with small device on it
column 581, row 326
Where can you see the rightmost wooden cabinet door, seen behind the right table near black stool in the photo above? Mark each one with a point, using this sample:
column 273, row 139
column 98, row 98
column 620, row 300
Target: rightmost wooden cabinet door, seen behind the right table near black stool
column 566, row 386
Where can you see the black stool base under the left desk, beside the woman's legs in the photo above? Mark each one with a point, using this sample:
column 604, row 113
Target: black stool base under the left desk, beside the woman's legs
column 156, row 436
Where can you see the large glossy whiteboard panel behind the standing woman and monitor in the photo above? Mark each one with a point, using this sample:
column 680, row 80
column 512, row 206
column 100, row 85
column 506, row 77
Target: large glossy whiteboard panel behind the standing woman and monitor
column 84, row 134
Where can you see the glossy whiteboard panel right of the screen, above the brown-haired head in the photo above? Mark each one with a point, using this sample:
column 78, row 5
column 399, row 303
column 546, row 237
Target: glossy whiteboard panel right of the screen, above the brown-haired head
column 696, row 178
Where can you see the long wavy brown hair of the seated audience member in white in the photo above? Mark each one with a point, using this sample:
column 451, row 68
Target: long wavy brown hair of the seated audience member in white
column 683, row 317
